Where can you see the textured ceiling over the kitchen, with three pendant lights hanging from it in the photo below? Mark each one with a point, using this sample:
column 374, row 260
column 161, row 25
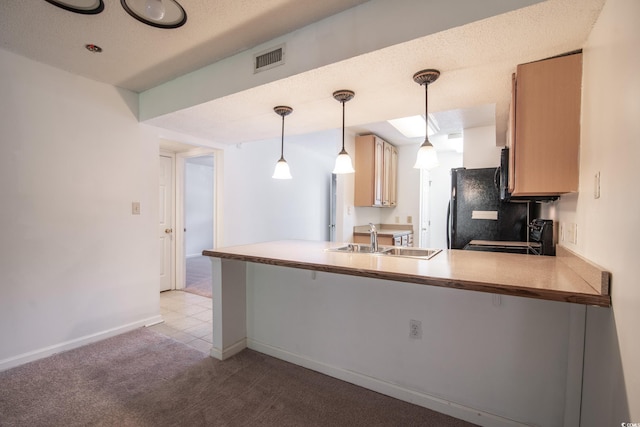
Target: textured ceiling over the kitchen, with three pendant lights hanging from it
column 474, row 89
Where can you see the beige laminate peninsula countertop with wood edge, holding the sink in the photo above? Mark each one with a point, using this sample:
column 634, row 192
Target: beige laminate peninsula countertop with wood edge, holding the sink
column 565, row 277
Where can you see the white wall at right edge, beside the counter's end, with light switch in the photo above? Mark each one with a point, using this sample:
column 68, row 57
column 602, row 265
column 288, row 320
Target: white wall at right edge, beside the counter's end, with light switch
column 607, row 227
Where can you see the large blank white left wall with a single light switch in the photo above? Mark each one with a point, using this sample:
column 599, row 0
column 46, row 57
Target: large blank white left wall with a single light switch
column 75, row 264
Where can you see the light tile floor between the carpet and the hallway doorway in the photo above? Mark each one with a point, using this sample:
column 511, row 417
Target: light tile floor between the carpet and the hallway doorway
column 188, row 318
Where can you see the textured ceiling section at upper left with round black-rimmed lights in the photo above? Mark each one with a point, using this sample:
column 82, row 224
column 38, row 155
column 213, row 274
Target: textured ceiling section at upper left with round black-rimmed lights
column 137, row 56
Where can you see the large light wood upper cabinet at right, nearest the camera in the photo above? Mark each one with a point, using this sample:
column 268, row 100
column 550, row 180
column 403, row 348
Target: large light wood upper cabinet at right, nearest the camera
column 545, row 139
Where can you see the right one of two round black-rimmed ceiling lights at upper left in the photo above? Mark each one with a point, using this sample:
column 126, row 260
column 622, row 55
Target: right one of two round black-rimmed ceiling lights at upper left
column 157, row 13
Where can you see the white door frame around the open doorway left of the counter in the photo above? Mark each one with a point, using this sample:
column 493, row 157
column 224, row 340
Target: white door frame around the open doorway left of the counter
column 218, row 176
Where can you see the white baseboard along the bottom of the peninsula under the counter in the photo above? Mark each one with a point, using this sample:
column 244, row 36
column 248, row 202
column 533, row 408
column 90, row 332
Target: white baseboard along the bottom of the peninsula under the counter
column 418, row 398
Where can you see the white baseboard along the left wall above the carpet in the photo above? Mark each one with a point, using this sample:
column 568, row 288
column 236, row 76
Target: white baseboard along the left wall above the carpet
column 21, row 359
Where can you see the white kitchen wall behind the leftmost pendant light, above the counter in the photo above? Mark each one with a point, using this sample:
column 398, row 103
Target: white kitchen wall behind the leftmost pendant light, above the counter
column 259, row 208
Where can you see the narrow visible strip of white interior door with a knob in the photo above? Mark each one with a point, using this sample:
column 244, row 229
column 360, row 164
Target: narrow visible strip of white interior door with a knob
column 165, row 231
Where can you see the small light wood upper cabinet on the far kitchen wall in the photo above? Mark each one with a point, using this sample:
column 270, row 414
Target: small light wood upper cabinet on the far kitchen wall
column 376, row 172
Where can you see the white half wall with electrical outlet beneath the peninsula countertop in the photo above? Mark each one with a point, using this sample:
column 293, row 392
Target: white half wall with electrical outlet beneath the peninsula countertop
column 510, row 359
